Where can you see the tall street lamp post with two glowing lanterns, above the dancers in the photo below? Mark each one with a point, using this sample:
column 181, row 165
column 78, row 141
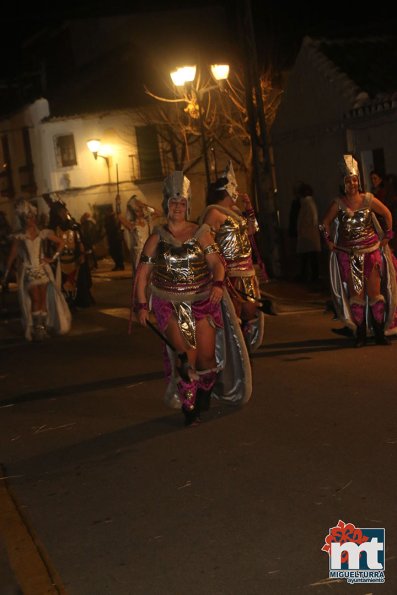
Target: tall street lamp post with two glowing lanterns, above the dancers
column 184, row 77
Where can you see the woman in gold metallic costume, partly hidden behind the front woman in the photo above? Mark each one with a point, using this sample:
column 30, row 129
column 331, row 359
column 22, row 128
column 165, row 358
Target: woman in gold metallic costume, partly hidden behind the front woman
column 234, row 231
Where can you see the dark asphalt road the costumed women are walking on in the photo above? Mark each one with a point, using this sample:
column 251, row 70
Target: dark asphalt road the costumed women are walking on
column 104, row 492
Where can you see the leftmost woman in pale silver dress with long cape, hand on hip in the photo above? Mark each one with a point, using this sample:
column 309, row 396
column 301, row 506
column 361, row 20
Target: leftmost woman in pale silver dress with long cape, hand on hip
column 42, row 304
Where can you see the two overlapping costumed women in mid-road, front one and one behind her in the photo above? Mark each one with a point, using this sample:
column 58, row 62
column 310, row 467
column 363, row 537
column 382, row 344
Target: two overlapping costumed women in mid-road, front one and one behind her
column 199, row 280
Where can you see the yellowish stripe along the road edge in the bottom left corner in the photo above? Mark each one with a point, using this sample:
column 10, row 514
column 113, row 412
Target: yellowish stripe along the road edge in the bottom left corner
column 28, row 559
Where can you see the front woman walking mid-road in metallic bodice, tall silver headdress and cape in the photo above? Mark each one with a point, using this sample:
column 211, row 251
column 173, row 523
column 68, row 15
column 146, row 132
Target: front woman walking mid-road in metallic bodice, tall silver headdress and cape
column 181, row 277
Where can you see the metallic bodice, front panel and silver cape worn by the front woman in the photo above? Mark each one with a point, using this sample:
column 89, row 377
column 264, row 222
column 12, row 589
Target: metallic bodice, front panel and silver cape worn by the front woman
column 181, row 276
